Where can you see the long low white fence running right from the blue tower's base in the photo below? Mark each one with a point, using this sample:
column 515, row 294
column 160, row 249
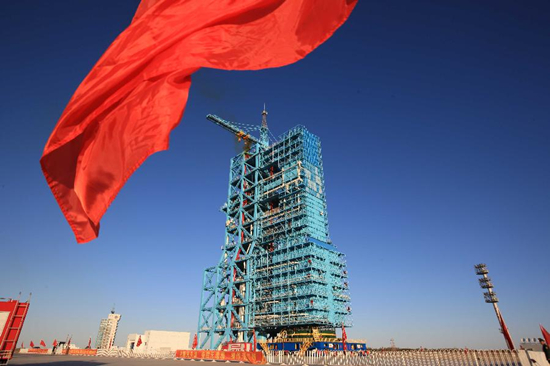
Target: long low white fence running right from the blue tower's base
column 400, row 358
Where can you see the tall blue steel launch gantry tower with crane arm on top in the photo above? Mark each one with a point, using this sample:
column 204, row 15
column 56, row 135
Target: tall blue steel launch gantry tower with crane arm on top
column 279, row 277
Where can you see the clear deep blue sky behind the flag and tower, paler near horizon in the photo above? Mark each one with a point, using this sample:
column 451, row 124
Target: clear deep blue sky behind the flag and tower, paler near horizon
column 434, row 120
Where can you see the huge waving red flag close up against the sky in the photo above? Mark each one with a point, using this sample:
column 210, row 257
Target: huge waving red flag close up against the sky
column 126, row 107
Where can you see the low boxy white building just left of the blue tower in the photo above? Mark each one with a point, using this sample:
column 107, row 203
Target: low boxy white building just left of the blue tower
column 158, row 341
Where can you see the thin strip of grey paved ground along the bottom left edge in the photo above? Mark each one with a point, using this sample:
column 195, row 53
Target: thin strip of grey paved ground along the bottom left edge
column 59, row 360
